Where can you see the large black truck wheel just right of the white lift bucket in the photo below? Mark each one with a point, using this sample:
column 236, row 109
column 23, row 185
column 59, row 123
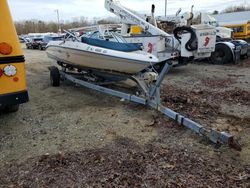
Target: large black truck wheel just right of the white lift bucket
column 221, row 55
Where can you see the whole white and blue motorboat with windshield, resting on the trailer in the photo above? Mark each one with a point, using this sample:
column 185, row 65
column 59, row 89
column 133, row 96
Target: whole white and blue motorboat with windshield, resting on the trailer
column 101, row 49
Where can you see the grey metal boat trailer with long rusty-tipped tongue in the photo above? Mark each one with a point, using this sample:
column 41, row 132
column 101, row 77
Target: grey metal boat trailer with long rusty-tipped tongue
column 152, row 99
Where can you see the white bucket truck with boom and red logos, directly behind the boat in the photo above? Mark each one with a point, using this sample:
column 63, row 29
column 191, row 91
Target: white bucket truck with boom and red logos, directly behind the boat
column 197, row 41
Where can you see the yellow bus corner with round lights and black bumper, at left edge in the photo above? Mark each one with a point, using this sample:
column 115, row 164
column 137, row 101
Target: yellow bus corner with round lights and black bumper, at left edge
column 13, row 88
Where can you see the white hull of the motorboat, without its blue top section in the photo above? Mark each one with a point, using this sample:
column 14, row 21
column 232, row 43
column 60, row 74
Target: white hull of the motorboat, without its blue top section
column 91, row 57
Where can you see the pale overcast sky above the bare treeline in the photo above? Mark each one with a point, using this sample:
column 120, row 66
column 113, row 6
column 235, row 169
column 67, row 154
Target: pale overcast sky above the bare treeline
column 70, row 9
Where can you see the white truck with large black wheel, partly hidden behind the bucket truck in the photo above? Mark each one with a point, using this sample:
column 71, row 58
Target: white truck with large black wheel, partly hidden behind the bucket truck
column 227, row 50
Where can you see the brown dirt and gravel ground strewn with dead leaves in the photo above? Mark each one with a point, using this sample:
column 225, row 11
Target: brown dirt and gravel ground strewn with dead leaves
column 74, row 137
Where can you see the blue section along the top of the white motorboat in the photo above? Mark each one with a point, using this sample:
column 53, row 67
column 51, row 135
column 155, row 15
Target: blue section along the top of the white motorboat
column 124, row 47
